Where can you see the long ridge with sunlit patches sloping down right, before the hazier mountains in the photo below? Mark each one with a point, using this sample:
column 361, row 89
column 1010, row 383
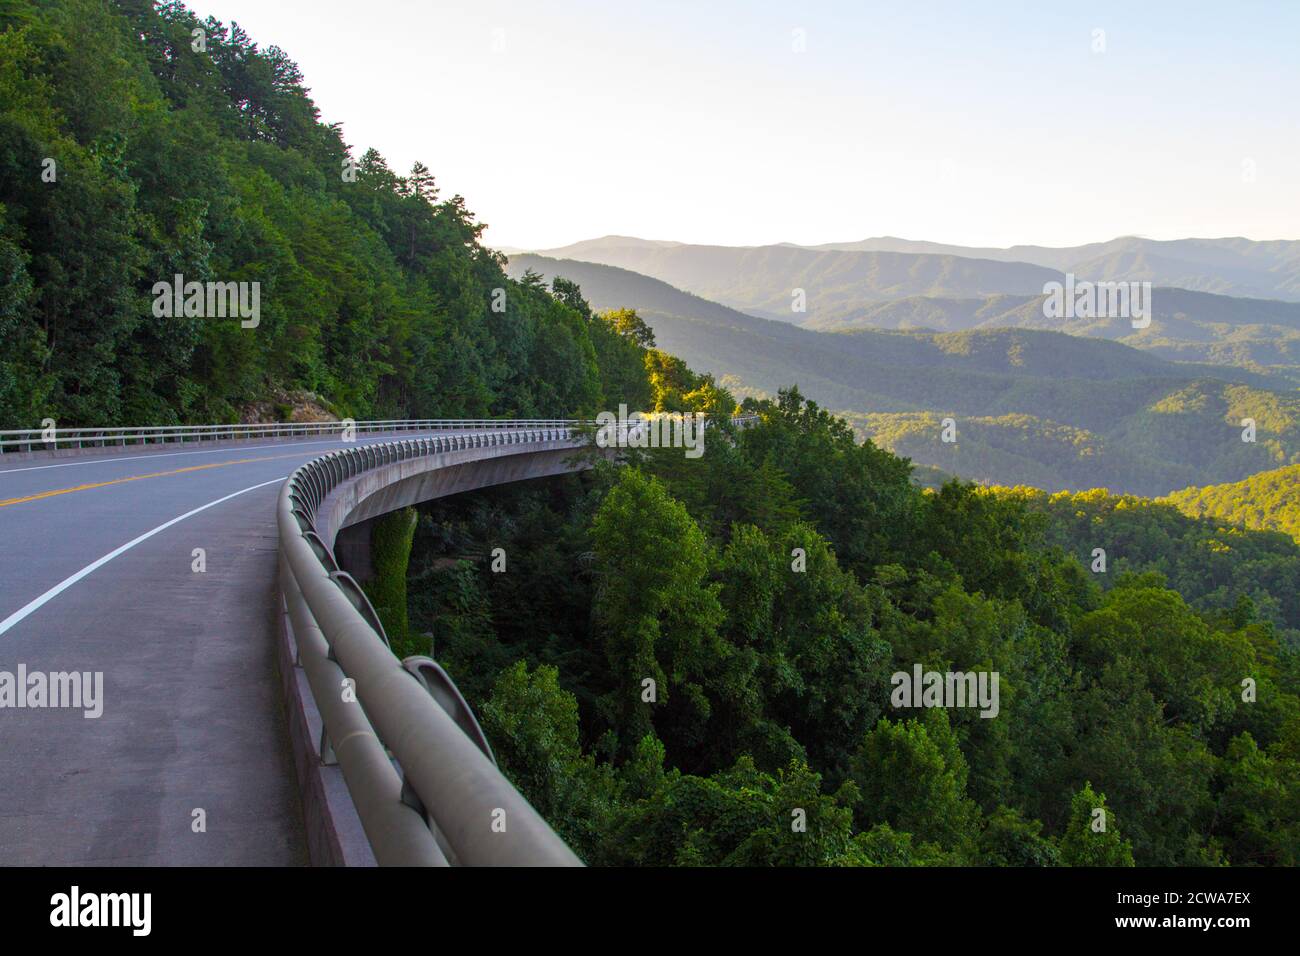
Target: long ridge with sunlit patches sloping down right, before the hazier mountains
column 1032, row 406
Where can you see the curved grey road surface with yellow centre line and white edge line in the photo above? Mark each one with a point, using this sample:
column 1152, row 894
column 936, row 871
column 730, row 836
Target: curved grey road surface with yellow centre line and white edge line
column 189, row 763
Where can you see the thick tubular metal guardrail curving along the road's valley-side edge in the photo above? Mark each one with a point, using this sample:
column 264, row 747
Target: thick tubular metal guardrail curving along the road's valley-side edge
column 439, row 811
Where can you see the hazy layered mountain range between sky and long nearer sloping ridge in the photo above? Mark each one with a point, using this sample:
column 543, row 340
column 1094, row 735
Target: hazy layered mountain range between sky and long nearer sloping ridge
column 1203, row 297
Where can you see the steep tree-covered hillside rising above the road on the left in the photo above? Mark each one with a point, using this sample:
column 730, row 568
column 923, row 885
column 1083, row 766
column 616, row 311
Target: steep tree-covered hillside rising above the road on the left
column 372, row 291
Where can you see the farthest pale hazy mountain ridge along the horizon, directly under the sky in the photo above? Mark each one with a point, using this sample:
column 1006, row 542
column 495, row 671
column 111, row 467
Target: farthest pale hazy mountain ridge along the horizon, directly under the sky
column 761, row 278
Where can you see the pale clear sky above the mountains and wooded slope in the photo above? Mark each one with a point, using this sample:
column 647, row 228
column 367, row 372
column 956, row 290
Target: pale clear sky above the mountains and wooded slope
column 746, row 124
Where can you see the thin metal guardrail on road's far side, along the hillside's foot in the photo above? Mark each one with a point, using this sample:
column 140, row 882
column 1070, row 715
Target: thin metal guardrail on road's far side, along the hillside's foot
column 36, row 439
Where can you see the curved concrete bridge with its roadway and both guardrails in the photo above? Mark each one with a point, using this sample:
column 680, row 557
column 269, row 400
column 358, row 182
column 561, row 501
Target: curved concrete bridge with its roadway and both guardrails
column 183, row 568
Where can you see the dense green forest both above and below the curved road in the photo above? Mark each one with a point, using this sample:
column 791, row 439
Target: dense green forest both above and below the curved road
column 682, row 661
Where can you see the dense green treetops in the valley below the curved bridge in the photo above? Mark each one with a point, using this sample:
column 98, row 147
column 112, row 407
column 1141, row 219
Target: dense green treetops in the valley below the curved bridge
column 1162, row 690
